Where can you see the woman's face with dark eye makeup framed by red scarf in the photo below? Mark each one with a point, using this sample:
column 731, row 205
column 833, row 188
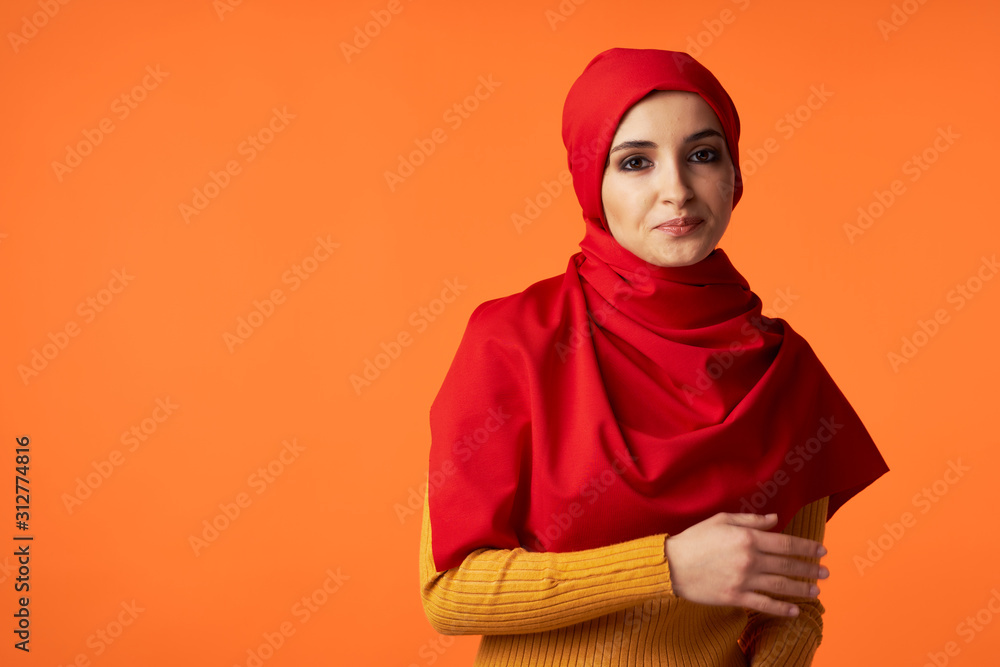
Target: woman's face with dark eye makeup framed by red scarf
column 668, row 185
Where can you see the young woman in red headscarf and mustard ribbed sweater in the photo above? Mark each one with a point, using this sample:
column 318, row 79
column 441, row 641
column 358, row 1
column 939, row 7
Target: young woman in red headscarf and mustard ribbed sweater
column 615, row 448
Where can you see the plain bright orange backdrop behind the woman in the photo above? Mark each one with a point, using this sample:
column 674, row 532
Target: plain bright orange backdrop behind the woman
column 336, row 504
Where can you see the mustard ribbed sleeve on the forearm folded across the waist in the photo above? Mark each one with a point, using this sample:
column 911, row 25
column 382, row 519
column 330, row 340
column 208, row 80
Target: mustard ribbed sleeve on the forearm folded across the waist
column 514, row 591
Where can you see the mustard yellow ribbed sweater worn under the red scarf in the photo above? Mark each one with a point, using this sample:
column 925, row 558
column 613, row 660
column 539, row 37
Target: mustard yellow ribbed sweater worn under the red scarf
column 611, row 605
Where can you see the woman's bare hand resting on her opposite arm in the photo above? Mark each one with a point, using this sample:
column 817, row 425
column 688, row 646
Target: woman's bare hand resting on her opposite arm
column 731, row 559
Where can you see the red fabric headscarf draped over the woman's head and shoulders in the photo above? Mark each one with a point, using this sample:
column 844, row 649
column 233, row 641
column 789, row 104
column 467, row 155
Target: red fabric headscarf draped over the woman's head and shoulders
column 622, row 399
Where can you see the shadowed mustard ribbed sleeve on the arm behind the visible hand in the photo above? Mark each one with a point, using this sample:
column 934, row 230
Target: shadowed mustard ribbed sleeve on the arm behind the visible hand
column 790, row 642
